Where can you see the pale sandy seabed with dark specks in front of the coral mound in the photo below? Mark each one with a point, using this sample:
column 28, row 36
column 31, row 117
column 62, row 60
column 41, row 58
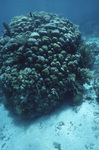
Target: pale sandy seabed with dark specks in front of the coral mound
column 64, row 129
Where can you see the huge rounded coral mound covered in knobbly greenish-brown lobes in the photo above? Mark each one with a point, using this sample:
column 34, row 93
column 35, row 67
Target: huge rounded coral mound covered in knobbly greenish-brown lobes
column 41, row 63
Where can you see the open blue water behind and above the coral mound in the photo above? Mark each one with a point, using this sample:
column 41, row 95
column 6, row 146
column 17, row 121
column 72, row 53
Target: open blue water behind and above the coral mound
column 81, row 12
